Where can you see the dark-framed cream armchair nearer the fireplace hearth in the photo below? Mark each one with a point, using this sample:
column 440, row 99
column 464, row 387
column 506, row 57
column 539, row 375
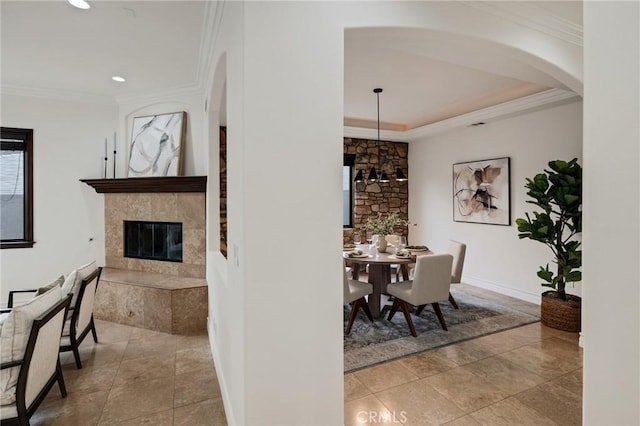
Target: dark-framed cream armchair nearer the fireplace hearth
column 81, row 322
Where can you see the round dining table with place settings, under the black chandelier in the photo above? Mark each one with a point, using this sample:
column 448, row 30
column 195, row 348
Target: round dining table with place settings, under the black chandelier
column 379, row 274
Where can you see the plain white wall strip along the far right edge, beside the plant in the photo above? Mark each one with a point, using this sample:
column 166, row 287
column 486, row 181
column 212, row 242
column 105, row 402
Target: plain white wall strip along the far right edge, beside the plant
column 611, row 306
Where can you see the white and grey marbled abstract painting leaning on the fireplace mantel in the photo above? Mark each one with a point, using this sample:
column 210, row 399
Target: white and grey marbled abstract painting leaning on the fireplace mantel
column 157, row 145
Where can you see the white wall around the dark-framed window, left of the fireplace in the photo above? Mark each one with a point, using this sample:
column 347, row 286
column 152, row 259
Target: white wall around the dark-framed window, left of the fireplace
column 68, row 146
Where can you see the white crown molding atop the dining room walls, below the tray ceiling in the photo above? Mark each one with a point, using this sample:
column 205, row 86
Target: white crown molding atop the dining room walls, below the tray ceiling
column 546, row 99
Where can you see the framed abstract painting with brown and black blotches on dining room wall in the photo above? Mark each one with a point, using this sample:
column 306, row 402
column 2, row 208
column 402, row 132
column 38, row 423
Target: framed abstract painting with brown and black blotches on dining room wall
column 481, row 192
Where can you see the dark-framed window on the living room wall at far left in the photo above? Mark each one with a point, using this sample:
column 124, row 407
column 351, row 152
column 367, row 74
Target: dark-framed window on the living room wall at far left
column 16, row 188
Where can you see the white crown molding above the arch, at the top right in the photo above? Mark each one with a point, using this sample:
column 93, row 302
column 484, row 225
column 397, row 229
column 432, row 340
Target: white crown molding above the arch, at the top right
column 534, row 17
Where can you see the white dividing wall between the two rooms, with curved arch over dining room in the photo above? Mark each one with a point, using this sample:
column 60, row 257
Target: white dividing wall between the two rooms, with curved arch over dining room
column 275, row 323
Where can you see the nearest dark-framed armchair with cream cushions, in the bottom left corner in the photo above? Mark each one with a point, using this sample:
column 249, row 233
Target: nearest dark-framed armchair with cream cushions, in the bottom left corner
column 30, row 338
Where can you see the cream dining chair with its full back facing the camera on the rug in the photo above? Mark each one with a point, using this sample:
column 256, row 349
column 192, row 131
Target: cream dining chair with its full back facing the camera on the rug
column 430, row 285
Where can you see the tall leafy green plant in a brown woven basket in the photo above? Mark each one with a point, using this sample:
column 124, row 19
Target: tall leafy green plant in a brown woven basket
column 558, row 192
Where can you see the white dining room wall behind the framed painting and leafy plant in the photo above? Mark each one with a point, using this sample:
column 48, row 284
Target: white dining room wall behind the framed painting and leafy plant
column 496, row 259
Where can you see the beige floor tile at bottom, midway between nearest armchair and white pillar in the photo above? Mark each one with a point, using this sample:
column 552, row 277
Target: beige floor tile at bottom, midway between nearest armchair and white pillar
column 137, row 399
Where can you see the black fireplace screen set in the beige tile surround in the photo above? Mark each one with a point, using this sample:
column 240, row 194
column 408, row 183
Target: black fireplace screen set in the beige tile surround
column 153, row 240
